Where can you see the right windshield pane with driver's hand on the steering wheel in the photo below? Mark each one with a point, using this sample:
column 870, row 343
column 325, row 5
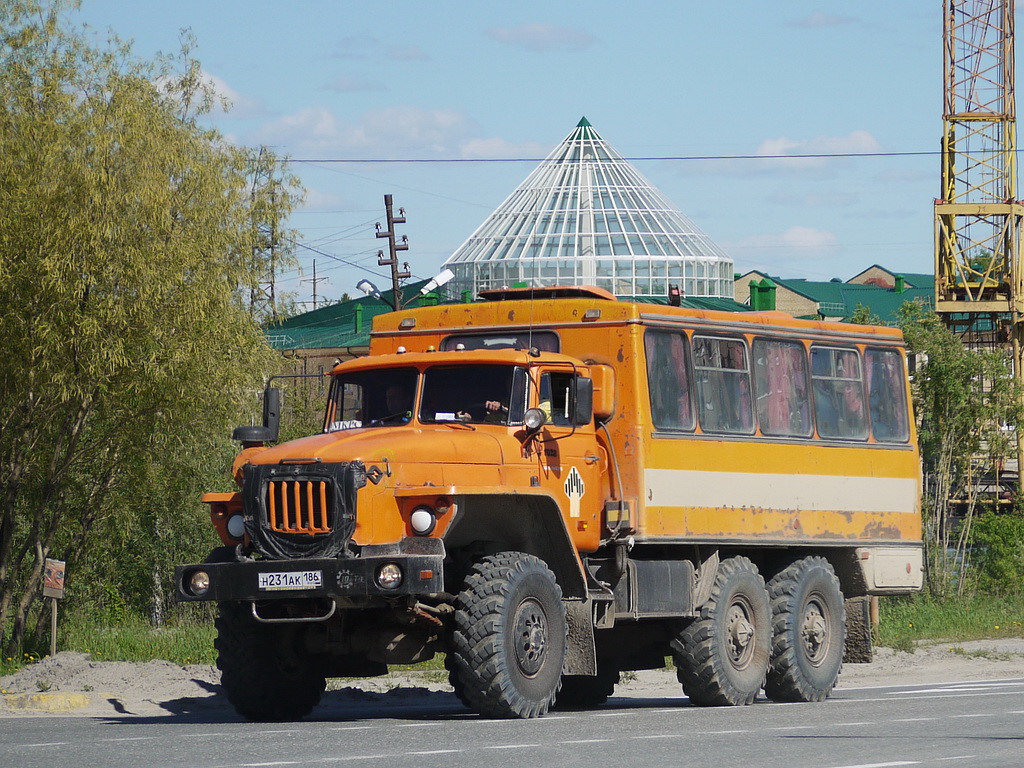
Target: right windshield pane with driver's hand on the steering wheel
column 484, row 395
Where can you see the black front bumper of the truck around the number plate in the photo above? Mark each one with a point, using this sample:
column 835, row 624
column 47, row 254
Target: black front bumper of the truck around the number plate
column 353, row 577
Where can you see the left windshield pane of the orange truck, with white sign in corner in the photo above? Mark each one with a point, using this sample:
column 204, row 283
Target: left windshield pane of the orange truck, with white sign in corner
column 372, row 399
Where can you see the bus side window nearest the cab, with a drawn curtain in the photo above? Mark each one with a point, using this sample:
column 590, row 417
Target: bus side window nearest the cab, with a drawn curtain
column 668, row 380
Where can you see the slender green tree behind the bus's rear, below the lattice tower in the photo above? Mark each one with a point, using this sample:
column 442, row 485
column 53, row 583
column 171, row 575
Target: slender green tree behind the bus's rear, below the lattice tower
column 964, row 400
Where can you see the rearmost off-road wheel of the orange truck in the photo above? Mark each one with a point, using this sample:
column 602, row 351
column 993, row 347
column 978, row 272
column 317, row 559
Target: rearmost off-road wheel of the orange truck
column 808, row 632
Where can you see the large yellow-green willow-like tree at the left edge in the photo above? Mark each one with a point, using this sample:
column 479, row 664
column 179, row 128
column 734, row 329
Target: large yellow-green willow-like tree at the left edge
column 127, row 240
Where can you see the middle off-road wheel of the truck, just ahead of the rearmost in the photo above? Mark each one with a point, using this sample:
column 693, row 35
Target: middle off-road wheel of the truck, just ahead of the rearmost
column 722, row 656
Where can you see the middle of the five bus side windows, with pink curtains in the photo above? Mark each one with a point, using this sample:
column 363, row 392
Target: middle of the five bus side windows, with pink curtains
column 781, row 385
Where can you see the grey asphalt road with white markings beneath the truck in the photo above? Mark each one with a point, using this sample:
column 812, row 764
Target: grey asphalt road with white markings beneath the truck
column 959, row 724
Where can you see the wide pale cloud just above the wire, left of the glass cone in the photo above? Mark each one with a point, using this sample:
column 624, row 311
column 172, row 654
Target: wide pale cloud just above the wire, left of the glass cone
column 393, row 133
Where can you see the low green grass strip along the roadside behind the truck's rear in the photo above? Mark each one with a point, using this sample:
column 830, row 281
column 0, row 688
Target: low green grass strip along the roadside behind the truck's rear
column 907, row 621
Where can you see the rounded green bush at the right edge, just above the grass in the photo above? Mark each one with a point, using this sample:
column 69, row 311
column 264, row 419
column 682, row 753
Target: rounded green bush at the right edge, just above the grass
column 998, row 552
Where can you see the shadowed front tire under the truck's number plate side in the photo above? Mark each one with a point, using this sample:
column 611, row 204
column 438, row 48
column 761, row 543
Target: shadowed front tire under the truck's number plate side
column 262, row 679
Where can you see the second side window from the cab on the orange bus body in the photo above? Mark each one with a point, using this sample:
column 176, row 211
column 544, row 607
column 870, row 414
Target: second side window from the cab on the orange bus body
column 723, row 386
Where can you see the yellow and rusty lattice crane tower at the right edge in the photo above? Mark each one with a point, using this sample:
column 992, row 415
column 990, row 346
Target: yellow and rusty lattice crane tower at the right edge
column 978, row 282
